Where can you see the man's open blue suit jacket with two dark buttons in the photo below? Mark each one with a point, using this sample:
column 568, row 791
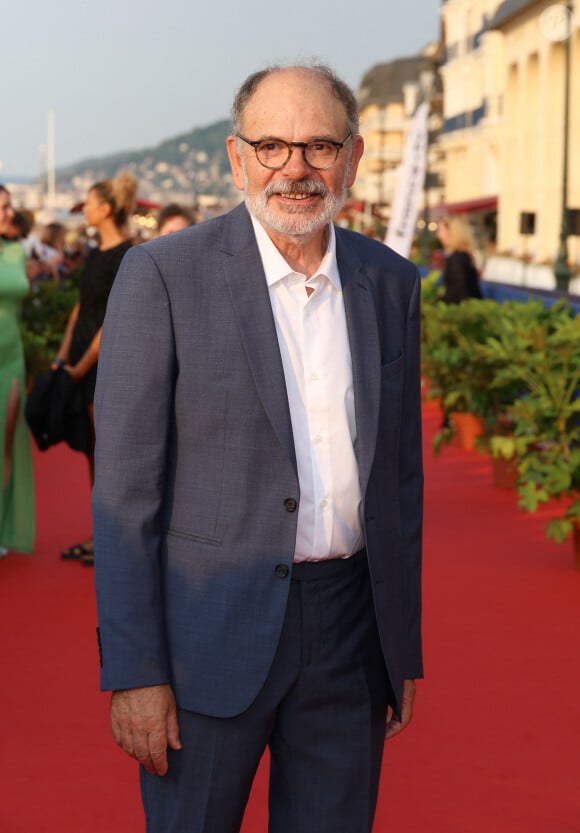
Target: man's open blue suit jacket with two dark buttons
column 195, row 462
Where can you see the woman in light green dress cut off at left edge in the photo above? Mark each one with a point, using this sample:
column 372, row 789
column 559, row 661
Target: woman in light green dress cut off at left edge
column 16, row 473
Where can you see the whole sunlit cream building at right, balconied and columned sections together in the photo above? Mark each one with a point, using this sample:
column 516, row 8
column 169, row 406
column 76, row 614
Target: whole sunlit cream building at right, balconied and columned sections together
column 503, row 74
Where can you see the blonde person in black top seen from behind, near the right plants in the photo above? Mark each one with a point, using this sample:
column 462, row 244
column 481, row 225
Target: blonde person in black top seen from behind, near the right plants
column 460, row 275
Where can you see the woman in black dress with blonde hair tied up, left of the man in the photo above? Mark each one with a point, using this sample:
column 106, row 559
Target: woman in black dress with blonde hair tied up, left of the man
column 108, row 208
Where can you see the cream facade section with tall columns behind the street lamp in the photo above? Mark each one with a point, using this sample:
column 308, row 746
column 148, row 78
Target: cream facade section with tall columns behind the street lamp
column 532, row 142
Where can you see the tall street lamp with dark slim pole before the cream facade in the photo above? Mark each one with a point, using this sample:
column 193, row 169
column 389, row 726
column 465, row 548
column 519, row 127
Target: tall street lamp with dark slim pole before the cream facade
column 556, row 22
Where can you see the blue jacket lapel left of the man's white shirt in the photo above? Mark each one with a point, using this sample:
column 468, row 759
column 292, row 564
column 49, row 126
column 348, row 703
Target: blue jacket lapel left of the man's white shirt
column 246, row 281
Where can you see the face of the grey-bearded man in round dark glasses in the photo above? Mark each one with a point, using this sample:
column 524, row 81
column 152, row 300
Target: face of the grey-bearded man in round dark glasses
column 297, row 200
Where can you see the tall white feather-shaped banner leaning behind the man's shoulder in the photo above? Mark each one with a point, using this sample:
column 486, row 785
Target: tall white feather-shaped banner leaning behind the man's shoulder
column 411, row 180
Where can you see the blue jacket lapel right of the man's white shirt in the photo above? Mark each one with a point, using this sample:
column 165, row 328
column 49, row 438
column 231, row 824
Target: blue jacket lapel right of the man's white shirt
column 361, row 319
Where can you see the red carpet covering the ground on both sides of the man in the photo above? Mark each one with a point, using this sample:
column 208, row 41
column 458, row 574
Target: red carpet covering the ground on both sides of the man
column 495, row 744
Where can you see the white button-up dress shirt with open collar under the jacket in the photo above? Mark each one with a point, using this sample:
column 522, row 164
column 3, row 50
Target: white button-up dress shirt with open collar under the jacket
column 315, row 352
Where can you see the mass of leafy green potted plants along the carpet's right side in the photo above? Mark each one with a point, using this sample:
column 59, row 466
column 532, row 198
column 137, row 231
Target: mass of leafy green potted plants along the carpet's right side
column 517, row 365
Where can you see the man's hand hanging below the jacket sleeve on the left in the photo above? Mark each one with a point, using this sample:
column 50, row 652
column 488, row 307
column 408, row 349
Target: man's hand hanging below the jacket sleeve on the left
column 144, row 723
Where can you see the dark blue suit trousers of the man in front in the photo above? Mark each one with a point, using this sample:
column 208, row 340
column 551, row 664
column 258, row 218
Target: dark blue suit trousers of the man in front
column 321, row 712
